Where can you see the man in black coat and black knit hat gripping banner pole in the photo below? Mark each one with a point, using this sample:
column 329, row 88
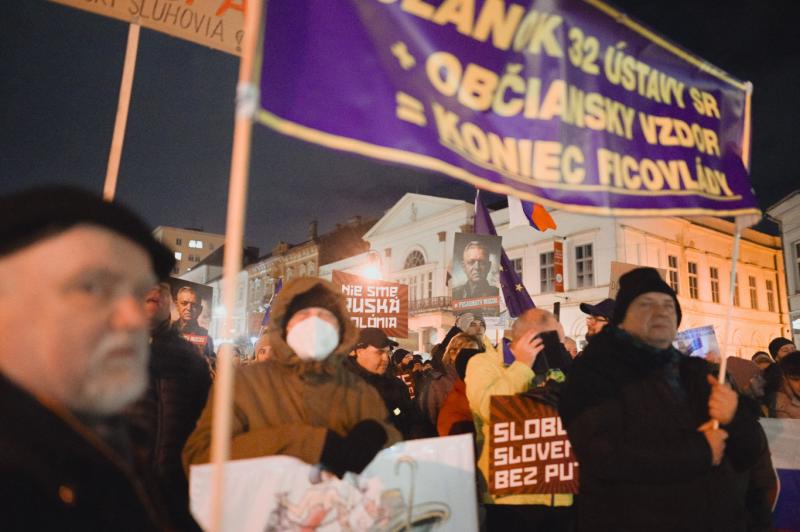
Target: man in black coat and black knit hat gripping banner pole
column 640, row 417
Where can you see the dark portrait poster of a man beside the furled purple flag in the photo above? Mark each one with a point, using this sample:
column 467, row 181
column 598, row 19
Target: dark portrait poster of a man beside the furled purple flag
column 476, row 274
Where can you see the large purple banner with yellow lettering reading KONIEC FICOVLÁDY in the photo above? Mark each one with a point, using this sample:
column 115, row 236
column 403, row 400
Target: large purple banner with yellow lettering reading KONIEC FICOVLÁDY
column 568, row 103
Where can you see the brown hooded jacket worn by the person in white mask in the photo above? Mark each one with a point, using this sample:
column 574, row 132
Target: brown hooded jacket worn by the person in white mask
column 286, row 405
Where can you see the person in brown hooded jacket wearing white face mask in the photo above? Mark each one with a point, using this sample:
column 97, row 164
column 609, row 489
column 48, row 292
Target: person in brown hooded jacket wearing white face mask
column 283, row 405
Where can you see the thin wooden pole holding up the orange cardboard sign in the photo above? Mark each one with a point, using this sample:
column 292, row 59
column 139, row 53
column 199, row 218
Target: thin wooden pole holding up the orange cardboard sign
column 118, row 139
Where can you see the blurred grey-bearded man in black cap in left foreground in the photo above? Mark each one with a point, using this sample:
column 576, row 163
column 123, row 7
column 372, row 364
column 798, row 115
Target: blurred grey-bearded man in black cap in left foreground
column 74, row 271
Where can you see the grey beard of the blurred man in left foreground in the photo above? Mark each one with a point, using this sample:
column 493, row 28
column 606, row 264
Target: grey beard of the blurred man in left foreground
column 113, row 381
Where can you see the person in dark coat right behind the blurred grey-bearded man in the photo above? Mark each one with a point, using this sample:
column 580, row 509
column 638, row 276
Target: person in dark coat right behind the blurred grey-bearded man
column 165, row 416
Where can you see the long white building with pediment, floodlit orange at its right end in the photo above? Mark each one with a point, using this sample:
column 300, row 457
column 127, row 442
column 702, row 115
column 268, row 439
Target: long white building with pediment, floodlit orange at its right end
column 414, row 240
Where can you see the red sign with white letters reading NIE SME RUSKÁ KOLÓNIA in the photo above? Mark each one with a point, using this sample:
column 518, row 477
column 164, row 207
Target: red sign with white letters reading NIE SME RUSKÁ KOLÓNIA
column 374, row 303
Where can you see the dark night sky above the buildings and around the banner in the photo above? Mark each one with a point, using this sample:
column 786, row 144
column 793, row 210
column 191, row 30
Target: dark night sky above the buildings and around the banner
column 60, row 71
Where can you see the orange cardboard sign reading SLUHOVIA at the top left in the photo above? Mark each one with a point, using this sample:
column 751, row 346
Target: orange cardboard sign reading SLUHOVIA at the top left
column 214, row 23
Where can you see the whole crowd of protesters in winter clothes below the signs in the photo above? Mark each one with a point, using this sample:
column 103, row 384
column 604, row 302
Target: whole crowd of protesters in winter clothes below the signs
column 99, row 436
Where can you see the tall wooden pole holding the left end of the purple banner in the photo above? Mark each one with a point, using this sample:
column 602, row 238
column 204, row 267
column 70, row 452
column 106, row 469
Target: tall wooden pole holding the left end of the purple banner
column 247, row 100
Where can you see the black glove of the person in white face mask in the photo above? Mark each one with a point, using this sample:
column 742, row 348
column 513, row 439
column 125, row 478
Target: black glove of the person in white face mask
column 355, row 451
